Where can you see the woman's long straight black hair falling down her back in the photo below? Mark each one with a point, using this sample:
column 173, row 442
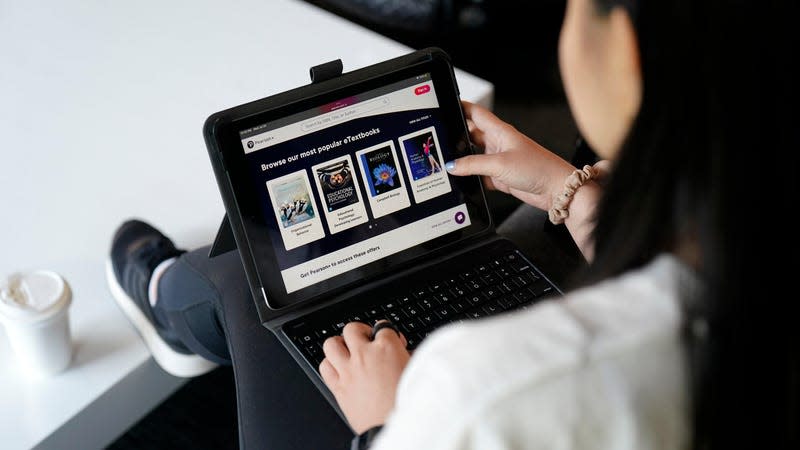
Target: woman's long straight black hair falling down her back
column 711, row 155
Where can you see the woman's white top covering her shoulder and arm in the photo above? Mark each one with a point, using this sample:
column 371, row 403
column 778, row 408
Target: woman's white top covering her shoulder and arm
column 518, row 377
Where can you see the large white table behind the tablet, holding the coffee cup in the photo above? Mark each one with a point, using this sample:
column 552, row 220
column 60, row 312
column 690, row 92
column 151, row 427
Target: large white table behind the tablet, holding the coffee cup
column 101, row 110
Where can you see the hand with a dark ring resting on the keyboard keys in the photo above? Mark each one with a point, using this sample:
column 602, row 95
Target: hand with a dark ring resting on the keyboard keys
column 363, row 374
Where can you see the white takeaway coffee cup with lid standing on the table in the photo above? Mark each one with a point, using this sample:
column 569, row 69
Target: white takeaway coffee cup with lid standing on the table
column 34, row 311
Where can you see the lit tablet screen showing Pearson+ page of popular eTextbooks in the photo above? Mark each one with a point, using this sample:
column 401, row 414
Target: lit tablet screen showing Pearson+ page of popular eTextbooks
column 354, row 181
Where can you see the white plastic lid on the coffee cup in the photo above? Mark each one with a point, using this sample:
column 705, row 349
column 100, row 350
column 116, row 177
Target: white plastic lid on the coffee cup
column 33, row 296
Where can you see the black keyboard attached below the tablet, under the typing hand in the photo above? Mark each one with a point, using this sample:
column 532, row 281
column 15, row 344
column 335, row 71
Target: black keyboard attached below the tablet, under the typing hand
column 496, row 281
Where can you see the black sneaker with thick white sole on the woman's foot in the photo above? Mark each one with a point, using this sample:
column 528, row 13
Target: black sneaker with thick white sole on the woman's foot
column 136, row 250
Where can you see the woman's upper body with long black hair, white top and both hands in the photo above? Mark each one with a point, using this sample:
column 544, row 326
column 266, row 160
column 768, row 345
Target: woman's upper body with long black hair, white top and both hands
column 679, row 336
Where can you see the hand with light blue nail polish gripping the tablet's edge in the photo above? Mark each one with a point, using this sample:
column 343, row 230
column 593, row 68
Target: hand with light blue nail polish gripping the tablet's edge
column 511, row 162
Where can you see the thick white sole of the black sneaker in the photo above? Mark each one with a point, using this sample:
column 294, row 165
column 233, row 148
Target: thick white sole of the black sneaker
column 175, row 363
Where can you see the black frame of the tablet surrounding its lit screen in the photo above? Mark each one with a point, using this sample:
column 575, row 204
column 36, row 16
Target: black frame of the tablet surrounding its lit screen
column 228, row 159
